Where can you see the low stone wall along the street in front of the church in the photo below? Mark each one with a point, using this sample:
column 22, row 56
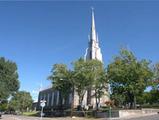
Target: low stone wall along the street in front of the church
column 104, row 114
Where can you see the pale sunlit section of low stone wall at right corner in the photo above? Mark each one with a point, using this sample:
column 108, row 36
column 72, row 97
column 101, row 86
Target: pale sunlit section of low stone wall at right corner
column 125, row 113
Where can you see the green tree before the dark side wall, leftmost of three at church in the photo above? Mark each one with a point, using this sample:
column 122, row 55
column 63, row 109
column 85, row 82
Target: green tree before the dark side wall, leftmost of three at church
column 61, row 79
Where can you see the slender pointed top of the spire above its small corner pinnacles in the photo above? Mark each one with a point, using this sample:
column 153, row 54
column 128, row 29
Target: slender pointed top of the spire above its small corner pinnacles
column 93, row 30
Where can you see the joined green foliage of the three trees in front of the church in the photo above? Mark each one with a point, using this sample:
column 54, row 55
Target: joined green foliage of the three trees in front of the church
column 85, row 75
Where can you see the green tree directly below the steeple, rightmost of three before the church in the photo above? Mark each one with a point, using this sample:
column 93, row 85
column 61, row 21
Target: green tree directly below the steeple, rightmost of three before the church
column 99, row 77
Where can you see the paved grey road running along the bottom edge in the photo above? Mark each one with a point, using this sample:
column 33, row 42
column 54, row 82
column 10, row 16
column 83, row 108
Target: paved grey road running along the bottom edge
column 14, row 117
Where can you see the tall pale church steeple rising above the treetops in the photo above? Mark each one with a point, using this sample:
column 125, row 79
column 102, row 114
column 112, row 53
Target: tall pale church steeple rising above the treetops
column 93, row 51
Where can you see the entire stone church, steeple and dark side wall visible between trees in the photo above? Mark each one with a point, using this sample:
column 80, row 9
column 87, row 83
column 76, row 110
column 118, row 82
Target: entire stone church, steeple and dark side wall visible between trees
column 52, row 97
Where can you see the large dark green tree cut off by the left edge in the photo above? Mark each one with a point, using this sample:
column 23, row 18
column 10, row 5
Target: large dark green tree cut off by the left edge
column 9, row 82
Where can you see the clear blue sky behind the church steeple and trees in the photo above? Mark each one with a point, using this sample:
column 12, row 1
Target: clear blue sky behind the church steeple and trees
column 37, row 35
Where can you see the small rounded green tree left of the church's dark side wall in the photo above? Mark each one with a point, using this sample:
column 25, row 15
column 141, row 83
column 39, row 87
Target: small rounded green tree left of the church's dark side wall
column 21, row 101
